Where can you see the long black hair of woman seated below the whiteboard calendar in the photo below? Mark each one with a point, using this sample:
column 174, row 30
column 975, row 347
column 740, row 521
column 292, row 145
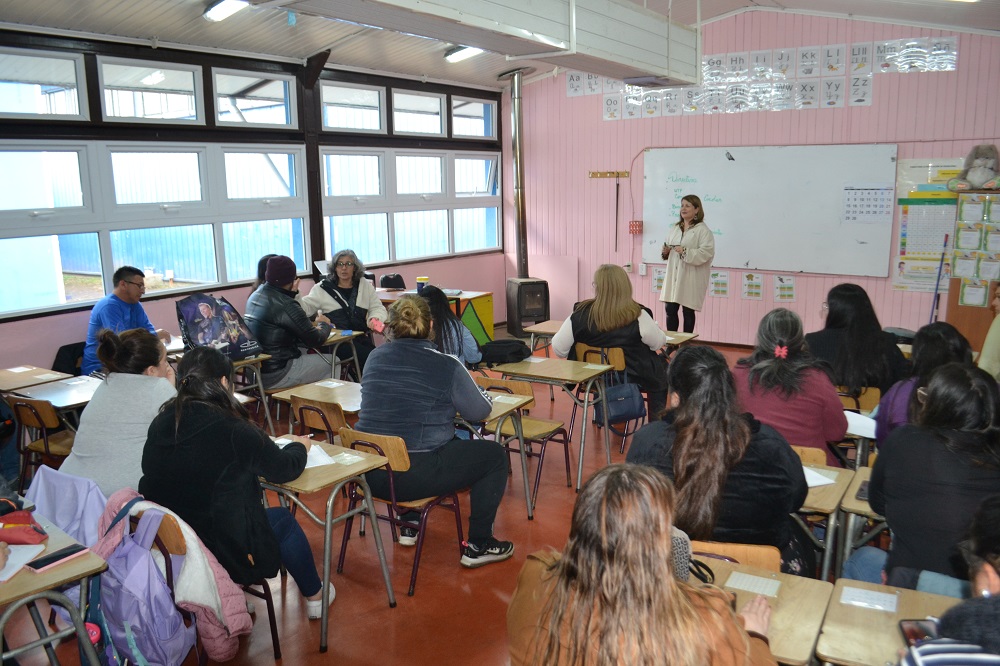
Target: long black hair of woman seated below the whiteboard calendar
column 860, row 360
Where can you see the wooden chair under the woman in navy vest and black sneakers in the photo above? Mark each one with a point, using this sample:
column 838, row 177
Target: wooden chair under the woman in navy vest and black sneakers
column 394, row 448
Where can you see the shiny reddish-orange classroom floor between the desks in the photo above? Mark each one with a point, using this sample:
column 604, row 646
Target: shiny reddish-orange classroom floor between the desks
column 457, row 616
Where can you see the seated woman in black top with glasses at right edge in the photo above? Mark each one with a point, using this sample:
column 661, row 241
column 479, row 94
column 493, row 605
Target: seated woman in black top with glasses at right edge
column 930, row 476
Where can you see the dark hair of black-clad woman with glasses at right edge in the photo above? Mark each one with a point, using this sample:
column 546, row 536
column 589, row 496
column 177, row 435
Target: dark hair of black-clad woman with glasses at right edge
column 961, row 405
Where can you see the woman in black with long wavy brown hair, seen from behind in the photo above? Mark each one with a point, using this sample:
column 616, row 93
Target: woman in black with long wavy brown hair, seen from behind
column 736, row 478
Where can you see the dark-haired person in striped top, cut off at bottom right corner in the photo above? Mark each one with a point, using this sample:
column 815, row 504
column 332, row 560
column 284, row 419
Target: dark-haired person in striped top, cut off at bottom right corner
column 970, row 632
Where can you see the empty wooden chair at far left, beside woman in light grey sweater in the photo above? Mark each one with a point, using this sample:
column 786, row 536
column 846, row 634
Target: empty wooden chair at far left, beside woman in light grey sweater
column 50, row 447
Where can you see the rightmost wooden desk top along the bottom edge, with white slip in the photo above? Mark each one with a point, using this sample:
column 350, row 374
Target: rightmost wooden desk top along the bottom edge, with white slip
column 853, row 635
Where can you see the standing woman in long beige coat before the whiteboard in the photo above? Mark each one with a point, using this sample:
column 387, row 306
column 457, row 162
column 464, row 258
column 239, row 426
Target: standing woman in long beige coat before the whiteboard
column 688, row 250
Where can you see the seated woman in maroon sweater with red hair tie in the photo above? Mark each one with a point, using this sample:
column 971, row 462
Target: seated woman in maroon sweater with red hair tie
column 784, row 386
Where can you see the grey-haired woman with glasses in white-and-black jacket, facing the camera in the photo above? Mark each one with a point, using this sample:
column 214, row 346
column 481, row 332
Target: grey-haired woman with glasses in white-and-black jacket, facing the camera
column 349, row 301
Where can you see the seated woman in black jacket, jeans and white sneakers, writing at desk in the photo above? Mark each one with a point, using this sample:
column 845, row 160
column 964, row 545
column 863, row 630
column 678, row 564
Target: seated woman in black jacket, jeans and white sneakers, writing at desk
column 202, row 461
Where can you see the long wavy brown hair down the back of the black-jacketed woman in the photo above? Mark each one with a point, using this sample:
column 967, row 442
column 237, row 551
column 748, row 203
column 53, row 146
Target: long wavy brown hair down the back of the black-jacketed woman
column 711, row 436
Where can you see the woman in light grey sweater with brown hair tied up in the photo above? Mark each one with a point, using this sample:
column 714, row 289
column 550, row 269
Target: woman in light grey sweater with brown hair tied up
column 108, row 445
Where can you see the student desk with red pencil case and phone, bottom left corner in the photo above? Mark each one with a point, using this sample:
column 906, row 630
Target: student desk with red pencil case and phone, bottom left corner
column 27, row 587
